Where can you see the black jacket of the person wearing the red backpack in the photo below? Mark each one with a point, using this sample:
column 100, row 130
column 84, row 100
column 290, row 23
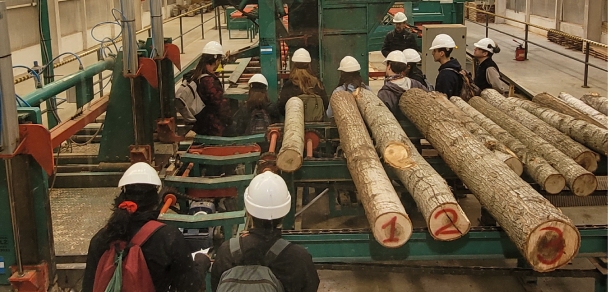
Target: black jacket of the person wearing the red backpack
column 167, row 256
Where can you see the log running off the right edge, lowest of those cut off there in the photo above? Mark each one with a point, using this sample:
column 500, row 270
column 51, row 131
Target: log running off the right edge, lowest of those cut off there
column 588, row 134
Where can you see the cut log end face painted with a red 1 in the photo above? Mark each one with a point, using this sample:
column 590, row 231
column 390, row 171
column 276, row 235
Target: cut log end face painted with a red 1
column 392, row 230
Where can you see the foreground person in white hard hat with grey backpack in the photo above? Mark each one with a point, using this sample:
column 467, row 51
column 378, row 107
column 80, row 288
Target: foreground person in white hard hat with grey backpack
column 267, row 201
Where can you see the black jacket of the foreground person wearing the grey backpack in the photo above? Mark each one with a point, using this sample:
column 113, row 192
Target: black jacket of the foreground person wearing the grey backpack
column 293, row 266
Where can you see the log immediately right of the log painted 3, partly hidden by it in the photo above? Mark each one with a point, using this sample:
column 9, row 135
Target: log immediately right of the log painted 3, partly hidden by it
column 500, row 150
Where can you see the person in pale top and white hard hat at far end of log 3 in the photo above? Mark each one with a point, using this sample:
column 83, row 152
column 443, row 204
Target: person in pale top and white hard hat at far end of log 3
column 396, row 83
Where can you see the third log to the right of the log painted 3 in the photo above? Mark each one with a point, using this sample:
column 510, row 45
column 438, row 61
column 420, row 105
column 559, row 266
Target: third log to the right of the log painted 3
column 580, row 181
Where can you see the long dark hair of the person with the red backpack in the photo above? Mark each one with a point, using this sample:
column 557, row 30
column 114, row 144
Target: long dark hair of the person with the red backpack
column 121, row 225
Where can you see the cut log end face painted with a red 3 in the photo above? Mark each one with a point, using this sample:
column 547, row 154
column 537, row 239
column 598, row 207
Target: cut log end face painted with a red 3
column 552, row 245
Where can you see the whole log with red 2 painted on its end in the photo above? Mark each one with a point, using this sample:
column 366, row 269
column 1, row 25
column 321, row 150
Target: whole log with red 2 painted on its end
column 444, row 217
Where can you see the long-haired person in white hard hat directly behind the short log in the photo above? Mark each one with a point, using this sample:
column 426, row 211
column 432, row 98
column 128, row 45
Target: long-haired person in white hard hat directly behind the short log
column 302, row 81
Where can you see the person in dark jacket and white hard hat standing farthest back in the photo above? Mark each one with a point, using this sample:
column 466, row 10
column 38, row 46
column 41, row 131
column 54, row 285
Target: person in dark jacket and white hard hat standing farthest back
column 400, row 38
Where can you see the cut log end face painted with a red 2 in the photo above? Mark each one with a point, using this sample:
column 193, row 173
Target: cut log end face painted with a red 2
column 448, row 222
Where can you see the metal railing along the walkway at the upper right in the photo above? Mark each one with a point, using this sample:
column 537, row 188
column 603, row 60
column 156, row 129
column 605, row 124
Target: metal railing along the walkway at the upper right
column 526, row 41
